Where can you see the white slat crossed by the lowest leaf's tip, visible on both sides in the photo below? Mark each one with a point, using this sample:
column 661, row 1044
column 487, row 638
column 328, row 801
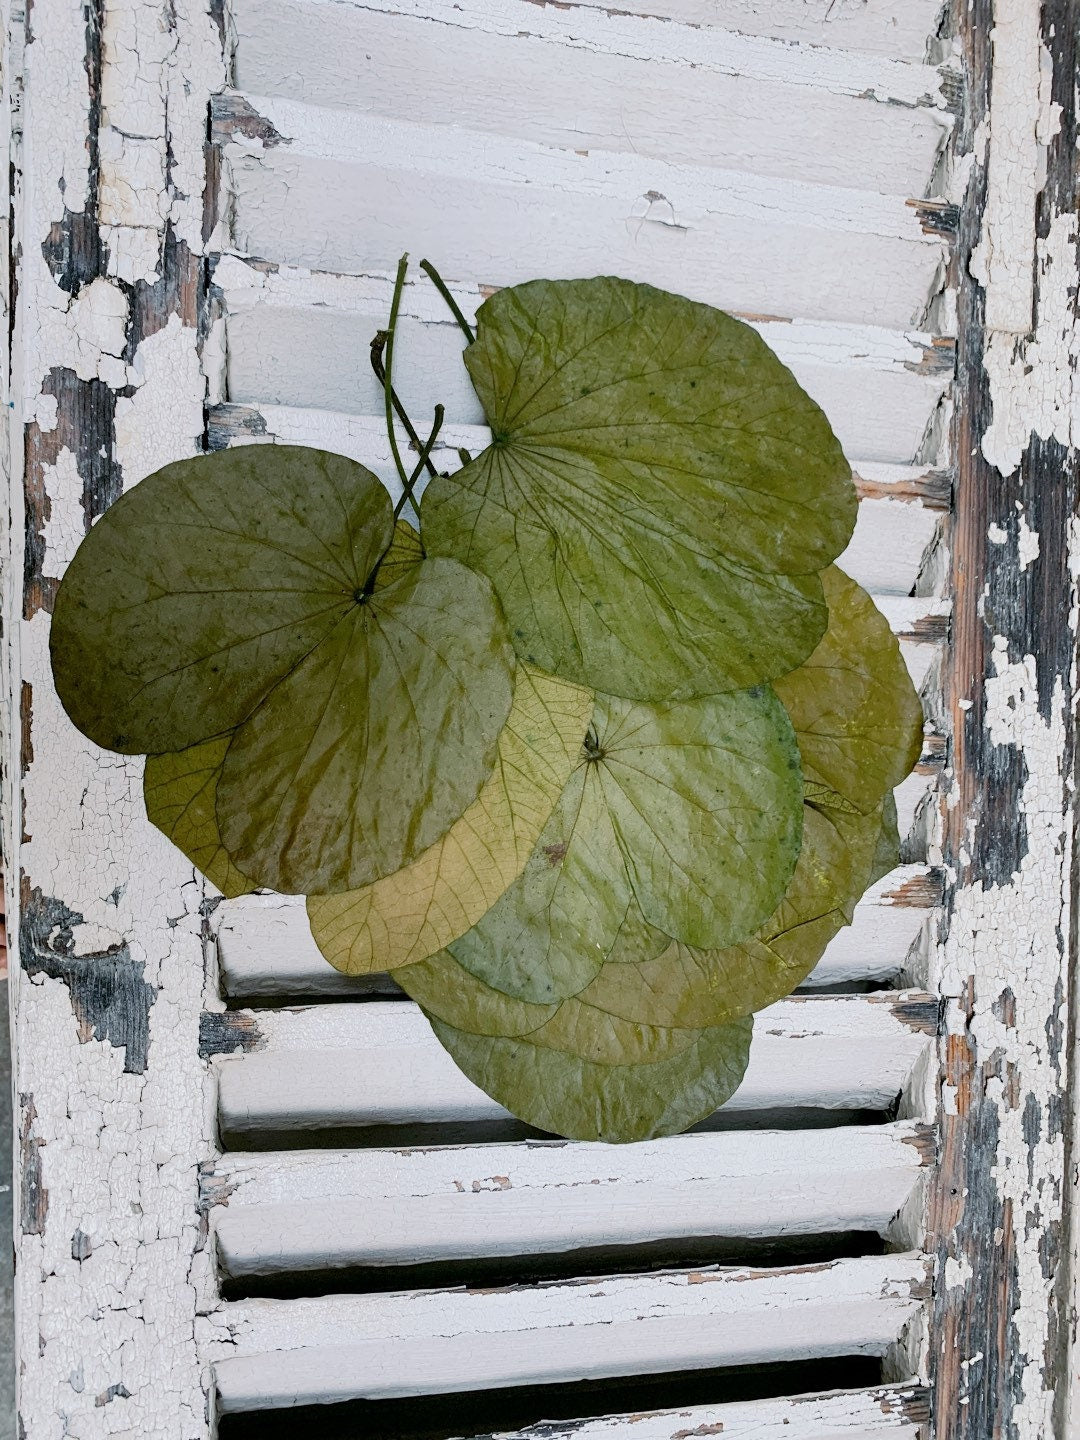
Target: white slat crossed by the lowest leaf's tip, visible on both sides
column 362, row 1065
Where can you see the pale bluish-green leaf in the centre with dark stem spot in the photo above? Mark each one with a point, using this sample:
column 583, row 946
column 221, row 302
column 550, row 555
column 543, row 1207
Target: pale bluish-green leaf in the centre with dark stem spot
column 688, row 816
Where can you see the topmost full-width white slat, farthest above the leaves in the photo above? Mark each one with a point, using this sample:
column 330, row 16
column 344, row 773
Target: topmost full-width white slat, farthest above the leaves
column 590, row 80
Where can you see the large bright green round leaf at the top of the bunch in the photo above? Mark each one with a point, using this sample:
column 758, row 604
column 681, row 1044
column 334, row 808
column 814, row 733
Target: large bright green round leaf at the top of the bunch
column 659, row 496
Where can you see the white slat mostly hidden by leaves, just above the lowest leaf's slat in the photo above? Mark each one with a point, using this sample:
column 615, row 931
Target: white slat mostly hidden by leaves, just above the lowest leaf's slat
column 266, row 944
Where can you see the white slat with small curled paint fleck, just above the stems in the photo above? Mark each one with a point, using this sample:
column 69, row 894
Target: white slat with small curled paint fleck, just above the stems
column 335, row 191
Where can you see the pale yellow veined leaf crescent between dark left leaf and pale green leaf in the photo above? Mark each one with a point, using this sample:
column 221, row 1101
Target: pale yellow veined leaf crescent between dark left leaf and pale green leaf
column 424, row 906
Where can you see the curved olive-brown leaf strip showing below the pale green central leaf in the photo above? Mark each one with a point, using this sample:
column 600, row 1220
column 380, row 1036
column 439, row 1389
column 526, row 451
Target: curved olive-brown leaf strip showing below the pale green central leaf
column 693, row 987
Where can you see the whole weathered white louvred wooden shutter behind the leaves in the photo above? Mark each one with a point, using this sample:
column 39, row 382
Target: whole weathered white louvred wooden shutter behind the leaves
column 250, row 1186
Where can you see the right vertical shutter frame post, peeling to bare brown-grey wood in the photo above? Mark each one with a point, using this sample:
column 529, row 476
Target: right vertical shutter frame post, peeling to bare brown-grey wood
column 1007, row 967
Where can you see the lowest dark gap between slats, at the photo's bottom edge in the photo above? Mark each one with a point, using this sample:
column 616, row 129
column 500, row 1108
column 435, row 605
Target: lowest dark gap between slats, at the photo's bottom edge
column 485, row 1413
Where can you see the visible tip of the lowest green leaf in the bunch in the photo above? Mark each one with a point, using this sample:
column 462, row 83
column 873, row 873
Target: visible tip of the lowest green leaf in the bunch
column 590, row 1101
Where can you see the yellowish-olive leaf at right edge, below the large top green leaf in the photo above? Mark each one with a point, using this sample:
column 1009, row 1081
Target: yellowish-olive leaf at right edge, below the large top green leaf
column 853, row 705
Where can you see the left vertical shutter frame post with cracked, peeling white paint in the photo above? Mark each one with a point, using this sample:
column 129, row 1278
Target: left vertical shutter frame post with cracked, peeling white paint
column 107, row 976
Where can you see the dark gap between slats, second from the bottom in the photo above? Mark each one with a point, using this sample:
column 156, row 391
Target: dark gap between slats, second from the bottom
column 490, row 1272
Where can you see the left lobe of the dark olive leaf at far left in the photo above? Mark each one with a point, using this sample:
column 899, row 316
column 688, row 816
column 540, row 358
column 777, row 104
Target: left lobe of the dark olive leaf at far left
column 205, row 585
